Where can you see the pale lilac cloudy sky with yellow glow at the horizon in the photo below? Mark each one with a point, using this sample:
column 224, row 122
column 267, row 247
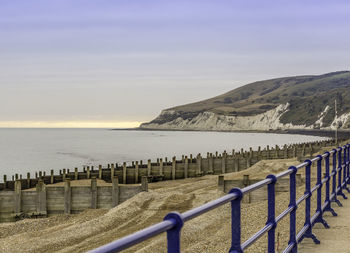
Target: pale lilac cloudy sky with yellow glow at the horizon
column 104, row 63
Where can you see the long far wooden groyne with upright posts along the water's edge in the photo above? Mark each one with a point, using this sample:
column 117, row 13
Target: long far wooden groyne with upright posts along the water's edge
column 186, row 166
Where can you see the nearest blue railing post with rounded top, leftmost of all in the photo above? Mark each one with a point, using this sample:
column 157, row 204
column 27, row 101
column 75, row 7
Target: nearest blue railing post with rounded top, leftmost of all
column 174, row 234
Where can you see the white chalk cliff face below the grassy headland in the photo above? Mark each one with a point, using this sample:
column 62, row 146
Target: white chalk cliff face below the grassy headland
column 269, row 120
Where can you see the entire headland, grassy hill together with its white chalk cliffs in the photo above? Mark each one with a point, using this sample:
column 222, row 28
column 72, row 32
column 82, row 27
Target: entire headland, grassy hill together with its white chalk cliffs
column 286, row 103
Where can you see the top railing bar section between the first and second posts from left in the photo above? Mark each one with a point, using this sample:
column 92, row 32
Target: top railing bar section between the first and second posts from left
column 188, row 215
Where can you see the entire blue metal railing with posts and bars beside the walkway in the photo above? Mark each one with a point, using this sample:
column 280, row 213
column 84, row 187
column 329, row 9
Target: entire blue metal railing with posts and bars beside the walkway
column 174, row 221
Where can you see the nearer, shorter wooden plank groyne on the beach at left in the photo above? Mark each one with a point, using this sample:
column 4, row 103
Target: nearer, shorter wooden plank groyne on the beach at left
column 47, row 200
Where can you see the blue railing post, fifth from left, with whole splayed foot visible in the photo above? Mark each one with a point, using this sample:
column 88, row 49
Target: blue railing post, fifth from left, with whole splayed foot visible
column 308, row 233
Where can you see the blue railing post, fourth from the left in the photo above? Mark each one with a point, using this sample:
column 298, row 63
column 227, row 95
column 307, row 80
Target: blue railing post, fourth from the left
column 292, row 244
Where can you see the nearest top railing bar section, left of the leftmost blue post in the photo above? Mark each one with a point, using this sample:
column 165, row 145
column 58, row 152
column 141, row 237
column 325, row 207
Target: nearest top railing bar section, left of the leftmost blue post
column 135, row 238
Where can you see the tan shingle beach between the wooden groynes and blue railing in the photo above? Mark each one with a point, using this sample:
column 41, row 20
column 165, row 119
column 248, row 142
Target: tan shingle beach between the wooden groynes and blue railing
column 207, row 233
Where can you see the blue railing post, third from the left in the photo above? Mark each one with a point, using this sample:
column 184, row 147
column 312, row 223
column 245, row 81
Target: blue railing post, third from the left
column 271, row 213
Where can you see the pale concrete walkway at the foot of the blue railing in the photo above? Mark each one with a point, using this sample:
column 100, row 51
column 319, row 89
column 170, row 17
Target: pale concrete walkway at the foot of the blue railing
column 337, row 237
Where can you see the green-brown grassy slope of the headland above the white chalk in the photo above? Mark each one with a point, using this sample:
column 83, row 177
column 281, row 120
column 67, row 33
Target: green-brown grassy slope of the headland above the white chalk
column 307, row 95
